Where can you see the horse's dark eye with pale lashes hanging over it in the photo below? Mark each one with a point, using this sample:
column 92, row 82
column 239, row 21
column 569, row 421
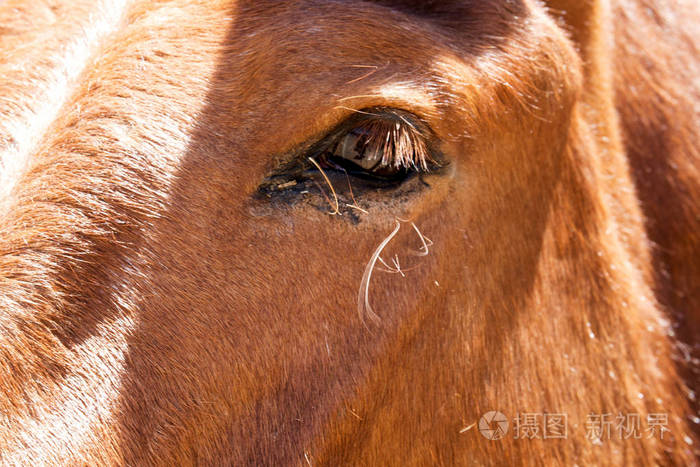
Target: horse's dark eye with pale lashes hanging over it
column 386, row 145
